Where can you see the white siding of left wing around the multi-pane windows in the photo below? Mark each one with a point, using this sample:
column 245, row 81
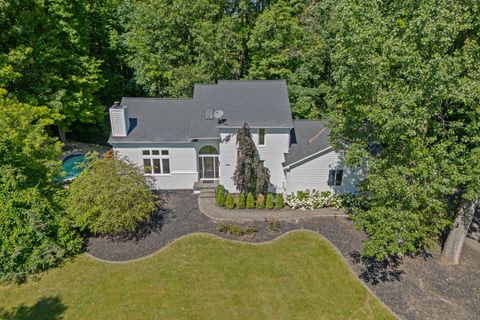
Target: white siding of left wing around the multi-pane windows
column 183, row 161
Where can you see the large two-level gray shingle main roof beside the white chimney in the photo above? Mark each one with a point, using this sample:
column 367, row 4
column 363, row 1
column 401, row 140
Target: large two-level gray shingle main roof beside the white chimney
column 258, row 103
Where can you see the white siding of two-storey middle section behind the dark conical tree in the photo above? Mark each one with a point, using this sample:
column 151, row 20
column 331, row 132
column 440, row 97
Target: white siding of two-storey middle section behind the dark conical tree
column 273, row 153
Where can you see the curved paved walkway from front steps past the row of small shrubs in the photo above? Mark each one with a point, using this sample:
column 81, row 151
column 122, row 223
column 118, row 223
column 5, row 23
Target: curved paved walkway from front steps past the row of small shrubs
column 211, row 210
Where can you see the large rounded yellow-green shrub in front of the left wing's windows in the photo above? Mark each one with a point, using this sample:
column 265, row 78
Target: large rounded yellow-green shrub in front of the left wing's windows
column 110, row 197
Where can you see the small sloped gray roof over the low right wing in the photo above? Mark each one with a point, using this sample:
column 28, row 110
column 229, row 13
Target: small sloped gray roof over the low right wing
column 307, row 138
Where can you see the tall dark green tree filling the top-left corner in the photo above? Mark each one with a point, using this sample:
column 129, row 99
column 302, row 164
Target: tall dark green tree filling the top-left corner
column 44, row 45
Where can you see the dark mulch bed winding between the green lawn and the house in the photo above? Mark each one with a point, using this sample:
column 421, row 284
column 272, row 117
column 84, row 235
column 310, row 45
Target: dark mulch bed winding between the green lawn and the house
column 414, row 288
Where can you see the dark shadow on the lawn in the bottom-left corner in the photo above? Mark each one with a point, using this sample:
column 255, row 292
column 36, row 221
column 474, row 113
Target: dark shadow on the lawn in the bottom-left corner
column 50, row 308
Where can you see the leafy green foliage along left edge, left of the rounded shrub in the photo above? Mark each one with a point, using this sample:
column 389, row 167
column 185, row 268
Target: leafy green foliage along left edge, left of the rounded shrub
column 34, row 234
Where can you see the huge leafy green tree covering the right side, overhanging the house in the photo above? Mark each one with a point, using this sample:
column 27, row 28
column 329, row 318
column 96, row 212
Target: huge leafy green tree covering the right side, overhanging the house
column 407, row 86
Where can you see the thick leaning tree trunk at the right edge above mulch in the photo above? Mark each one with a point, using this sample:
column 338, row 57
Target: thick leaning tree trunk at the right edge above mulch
column 452, row 249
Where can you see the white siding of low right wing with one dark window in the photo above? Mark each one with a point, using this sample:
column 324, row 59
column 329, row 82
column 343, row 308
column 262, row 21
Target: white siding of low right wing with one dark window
column 313, row 174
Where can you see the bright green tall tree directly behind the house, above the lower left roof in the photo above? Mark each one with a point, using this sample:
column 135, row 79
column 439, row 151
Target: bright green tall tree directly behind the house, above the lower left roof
column 172, row 44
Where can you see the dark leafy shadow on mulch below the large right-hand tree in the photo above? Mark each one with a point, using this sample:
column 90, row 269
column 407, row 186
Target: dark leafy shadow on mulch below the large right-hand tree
column 374, row 271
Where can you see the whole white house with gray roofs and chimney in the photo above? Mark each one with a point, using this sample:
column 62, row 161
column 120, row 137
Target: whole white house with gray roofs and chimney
column 181, row 141
